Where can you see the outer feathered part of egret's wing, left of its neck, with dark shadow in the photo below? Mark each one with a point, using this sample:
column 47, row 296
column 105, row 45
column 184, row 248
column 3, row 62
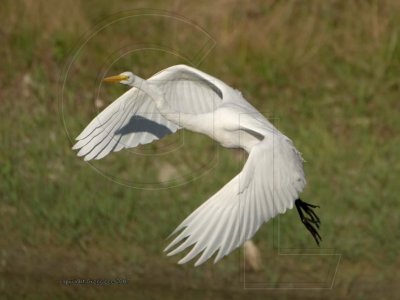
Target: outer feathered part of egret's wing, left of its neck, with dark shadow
column 130, row 120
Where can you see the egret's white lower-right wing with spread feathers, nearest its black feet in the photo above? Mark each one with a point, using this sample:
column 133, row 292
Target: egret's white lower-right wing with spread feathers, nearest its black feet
column 269, row 183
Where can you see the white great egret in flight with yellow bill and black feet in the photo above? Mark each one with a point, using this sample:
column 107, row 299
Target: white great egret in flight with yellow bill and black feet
column 184, row 97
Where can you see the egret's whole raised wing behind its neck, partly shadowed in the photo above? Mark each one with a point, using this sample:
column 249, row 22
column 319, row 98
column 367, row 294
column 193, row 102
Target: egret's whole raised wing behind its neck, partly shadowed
column 133, row 118
